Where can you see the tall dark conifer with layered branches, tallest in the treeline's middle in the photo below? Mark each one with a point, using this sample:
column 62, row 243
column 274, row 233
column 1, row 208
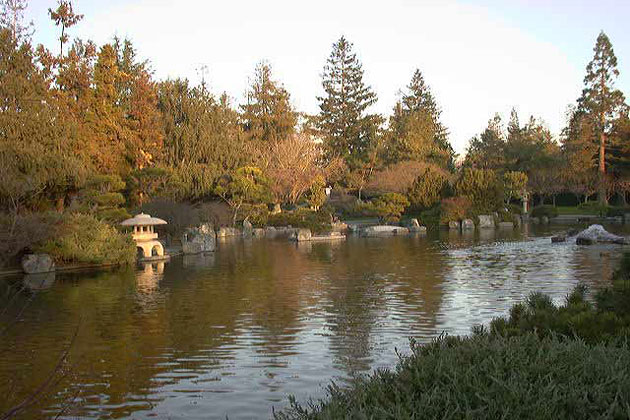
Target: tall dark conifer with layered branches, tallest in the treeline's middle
column 348, row 131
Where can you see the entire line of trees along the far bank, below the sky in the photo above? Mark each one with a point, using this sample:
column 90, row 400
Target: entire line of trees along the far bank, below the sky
column 89, row 129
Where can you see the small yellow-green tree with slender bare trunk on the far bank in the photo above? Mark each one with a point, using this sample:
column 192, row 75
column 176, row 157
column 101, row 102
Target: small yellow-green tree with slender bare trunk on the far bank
column 246, row 185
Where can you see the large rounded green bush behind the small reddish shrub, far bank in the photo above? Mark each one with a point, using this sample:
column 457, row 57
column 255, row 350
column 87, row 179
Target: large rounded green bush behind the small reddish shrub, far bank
column 483, row 188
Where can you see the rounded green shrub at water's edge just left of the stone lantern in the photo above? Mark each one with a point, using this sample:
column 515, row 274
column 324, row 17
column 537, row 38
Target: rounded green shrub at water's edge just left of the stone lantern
column 81, row 238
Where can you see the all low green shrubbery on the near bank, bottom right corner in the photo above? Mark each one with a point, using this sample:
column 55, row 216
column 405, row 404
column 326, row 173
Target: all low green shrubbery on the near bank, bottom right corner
column 543, row 361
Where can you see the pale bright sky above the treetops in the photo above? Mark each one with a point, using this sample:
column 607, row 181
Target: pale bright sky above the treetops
column 480, row 57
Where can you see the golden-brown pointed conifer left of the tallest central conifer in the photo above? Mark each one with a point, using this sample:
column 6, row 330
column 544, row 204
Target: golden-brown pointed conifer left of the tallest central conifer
column 268, row 115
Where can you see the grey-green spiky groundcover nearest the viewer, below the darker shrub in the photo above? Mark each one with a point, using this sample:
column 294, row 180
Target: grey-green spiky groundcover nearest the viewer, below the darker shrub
column 488, row 377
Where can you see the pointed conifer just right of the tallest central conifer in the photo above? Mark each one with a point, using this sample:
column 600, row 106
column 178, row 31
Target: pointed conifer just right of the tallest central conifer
column 415, row 130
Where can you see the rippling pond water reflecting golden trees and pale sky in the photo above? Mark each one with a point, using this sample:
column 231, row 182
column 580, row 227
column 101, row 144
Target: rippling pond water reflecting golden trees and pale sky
column 235, row 332
